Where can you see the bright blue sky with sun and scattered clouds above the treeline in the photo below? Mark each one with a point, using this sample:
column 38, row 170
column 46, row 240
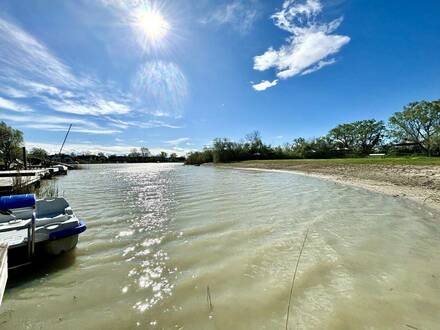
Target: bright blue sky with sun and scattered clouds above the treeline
column 173, row 75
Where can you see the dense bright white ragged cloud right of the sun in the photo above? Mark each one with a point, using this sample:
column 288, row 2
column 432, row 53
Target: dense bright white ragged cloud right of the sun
column 308, row 48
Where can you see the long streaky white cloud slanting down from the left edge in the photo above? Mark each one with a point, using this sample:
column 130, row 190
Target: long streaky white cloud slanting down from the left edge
column 28, row 69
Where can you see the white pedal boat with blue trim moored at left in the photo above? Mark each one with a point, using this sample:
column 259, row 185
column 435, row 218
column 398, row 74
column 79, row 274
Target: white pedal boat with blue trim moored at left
column 47, row 226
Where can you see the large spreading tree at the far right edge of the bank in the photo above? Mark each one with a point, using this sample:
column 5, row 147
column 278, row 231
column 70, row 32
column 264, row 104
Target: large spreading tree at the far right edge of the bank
column 419, row 122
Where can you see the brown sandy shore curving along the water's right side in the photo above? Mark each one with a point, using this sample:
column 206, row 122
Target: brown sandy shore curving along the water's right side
column 418, row 183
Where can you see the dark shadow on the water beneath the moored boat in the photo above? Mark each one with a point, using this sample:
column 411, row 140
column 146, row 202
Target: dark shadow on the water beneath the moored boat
column 42, row 265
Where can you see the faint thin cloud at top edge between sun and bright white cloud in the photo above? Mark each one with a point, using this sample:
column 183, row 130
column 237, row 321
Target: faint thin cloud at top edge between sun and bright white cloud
column 241, row 15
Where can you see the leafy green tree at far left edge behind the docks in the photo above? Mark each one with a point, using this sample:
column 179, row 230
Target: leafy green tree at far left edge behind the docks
column 10, row 142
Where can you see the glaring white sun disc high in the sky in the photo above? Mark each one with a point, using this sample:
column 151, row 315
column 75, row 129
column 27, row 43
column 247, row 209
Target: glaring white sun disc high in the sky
column 152, row 24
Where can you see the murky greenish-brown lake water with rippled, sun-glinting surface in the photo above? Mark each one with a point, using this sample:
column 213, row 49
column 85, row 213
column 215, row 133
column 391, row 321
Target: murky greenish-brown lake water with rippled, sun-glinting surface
column 160, row 234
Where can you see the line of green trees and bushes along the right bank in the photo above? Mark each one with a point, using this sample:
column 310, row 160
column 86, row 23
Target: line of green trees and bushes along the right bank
column 414, row 130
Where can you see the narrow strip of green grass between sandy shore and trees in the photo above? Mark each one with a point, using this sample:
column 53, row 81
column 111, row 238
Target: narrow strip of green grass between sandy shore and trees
column 371, row 160
